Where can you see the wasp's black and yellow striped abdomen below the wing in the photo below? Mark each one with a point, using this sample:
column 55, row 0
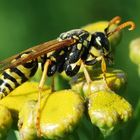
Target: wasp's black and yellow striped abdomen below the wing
column 13, row 77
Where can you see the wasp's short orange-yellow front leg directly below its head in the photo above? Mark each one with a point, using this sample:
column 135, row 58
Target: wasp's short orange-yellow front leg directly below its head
column 103, row 67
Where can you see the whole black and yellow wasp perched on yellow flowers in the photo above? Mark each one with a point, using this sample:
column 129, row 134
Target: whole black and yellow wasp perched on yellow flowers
column 72, row 50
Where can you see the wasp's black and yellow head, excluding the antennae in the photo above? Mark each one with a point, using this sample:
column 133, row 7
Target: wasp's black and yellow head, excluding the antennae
column 100, row 44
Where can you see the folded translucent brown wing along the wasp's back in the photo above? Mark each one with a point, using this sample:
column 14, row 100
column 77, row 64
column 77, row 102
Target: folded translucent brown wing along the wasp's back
column 36, row 51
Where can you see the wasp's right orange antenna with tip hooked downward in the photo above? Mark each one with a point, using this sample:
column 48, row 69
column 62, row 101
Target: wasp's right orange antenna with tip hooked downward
column 120, row 27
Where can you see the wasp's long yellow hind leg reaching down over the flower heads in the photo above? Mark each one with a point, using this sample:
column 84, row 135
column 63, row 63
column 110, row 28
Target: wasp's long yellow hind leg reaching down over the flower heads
column 40, row 87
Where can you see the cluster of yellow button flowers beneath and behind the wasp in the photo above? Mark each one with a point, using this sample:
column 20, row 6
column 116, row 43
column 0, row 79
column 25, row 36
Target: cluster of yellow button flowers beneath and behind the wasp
column 62, row 111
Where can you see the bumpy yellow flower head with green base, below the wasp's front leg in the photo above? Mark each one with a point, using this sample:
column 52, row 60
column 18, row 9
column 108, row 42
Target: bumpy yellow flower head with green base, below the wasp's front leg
column 108, row 110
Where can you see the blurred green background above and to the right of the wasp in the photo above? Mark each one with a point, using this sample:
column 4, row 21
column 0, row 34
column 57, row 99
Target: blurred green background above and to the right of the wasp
column 26, row 23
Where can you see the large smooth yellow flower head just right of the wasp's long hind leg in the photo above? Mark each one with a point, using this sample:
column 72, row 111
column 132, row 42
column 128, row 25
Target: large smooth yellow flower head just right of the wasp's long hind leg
column 61, row 113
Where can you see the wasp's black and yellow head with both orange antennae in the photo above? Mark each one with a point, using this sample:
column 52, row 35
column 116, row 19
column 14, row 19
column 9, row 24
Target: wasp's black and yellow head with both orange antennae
column 100, row 46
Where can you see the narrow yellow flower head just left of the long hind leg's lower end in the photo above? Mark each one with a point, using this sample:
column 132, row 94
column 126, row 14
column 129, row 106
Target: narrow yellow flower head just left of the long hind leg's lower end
column 26, row 122
